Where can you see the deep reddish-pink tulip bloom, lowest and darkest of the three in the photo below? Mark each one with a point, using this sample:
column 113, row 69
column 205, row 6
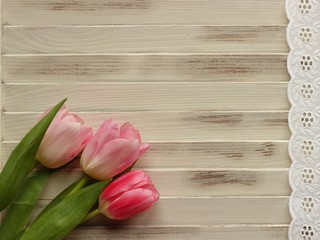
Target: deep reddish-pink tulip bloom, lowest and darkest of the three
column 128, row 195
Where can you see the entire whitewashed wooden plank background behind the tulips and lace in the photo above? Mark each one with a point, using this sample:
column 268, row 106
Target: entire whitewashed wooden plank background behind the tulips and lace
column 204, row 80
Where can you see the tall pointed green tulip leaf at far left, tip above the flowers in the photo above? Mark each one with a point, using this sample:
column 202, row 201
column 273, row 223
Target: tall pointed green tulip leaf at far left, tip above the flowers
column 22, row 159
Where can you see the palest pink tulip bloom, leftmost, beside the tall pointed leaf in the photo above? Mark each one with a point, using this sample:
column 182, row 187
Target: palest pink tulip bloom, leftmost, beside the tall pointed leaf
column 65, row 138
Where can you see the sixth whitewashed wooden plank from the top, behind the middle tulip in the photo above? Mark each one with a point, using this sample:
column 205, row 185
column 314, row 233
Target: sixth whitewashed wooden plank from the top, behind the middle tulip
column 190, row 155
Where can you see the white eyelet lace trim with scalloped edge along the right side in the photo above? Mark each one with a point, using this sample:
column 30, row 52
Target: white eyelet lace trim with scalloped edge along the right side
column 303, row 35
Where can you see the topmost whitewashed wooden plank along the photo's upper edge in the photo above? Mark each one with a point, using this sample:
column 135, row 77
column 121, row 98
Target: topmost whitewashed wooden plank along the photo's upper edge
column 98, row 12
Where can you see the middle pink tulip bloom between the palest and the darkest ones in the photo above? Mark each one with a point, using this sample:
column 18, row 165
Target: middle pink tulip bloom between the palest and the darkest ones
column 112, row 150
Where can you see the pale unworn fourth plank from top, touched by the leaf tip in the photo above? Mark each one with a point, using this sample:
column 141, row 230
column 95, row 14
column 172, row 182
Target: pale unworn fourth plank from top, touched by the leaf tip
column 148, row 96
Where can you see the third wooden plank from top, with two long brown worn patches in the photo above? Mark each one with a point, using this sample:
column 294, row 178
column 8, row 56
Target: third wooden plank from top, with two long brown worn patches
column 145, row 68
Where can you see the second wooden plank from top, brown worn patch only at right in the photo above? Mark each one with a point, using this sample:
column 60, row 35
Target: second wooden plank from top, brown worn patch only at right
column 144, row 39
